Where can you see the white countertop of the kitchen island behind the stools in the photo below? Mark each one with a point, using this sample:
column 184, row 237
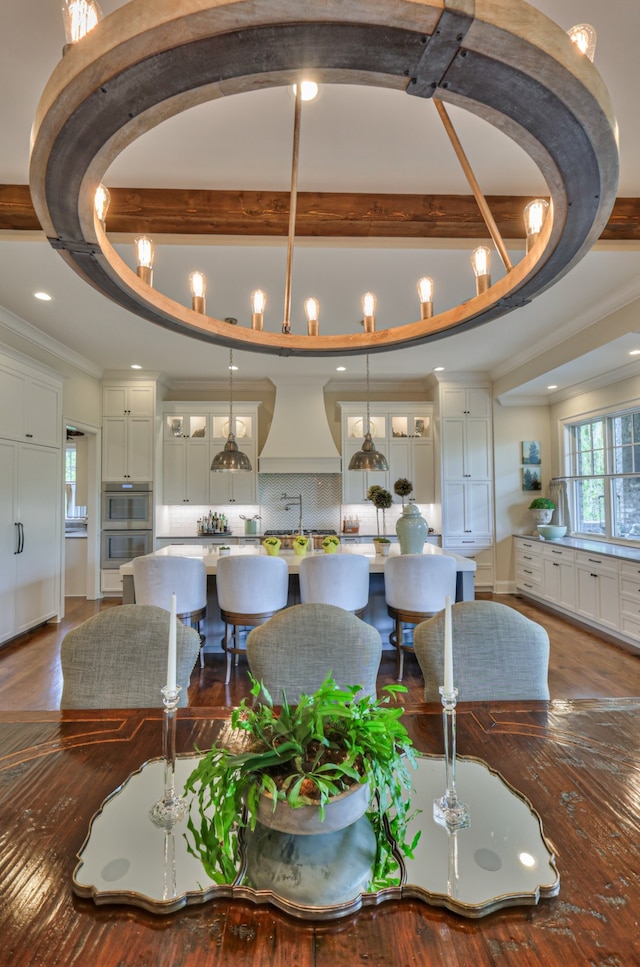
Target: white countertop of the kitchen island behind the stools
column 210, row 554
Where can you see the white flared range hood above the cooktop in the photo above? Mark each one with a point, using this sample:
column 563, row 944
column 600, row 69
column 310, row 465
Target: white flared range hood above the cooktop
column 299, row 440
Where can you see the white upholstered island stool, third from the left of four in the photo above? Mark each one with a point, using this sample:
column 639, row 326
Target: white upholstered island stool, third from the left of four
column 340, row 579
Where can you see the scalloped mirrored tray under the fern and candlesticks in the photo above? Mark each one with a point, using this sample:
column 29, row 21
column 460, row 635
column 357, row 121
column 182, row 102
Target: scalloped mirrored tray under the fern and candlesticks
column 502, row 859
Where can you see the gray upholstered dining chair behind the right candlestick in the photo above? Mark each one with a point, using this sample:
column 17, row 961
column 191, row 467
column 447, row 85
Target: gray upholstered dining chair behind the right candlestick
column 498, row 653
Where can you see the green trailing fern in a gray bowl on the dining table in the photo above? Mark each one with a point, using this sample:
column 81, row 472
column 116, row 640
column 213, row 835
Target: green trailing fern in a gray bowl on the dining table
column 312, row 756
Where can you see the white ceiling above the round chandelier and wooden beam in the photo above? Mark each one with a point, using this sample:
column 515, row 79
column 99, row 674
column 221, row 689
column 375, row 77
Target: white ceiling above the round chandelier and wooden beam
column 353, row 140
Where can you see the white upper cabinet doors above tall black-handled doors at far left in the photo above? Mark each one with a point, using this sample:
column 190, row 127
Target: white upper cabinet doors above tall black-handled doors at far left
column 30, row 405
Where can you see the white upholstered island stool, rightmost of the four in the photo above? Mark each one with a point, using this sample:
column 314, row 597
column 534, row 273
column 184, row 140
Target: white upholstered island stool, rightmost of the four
column 416, row 587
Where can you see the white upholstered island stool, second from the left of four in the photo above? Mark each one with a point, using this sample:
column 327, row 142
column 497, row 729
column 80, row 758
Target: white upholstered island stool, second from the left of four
column 250, row 590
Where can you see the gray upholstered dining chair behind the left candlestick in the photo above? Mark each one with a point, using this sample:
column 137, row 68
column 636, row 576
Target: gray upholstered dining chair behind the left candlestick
column 118, row 658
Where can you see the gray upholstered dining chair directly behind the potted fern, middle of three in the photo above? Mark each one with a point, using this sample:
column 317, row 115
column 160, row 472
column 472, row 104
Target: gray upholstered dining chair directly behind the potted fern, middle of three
column 295, row 651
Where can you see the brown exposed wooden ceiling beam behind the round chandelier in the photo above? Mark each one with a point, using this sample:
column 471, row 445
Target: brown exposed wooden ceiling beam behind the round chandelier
column 169, row 211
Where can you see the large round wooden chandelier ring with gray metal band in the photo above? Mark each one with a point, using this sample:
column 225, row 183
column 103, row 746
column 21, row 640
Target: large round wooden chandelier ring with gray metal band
column 502, row 61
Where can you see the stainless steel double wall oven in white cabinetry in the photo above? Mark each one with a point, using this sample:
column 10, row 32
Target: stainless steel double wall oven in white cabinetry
column 127, row 522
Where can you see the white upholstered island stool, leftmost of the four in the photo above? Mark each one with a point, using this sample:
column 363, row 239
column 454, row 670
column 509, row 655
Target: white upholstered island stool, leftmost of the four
column 156, row 578
